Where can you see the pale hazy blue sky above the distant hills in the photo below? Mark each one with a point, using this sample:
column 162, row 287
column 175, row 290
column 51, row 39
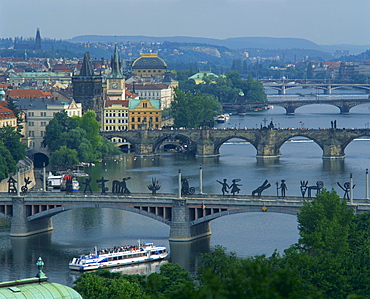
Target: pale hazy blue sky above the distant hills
column 325, row 22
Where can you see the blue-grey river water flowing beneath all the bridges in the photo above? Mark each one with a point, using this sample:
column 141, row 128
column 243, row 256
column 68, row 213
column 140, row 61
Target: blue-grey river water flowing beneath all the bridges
column 78, row 231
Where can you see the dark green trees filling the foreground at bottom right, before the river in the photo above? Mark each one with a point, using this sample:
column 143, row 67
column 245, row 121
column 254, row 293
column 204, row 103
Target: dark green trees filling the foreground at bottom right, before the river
column 330, row 260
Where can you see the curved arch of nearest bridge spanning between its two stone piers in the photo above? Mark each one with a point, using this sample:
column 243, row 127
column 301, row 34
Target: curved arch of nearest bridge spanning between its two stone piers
column 51, row 212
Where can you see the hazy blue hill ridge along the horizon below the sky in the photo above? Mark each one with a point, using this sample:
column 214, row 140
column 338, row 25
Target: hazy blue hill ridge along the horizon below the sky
column 232, row 43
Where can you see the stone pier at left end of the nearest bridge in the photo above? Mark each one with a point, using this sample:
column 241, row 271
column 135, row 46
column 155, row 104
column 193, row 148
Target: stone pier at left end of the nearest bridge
column 21, row 227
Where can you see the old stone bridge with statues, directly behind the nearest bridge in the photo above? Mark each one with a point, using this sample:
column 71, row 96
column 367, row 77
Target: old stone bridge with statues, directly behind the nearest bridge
column 207, row 142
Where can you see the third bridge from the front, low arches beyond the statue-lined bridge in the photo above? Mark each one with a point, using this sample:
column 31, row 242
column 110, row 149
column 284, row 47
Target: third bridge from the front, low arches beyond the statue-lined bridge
column 290, row 106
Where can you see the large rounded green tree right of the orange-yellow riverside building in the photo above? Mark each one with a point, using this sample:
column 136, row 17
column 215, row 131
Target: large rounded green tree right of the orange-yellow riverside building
column 193, row 111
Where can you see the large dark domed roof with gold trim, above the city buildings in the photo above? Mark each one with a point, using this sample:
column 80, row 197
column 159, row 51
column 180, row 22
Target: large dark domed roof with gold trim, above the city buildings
column 149, row 64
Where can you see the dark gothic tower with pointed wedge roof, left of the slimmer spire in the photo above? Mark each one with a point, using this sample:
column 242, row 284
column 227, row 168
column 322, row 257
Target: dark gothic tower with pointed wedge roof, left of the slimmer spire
column 87, row 88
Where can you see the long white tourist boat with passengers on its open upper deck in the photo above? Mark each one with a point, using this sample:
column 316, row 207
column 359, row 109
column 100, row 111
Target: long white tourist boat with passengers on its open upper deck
column 119, row 256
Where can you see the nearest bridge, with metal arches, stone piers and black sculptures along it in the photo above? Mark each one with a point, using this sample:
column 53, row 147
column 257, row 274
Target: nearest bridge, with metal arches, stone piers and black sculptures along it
column 188, row 217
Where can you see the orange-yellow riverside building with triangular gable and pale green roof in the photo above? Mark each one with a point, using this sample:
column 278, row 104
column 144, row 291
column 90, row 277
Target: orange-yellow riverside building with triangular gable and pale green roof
column 145, row 114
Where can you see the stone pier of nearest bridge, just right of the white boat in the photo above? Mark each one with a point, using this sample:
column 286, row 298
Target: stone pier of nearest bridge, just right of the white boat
column 181, row 228
